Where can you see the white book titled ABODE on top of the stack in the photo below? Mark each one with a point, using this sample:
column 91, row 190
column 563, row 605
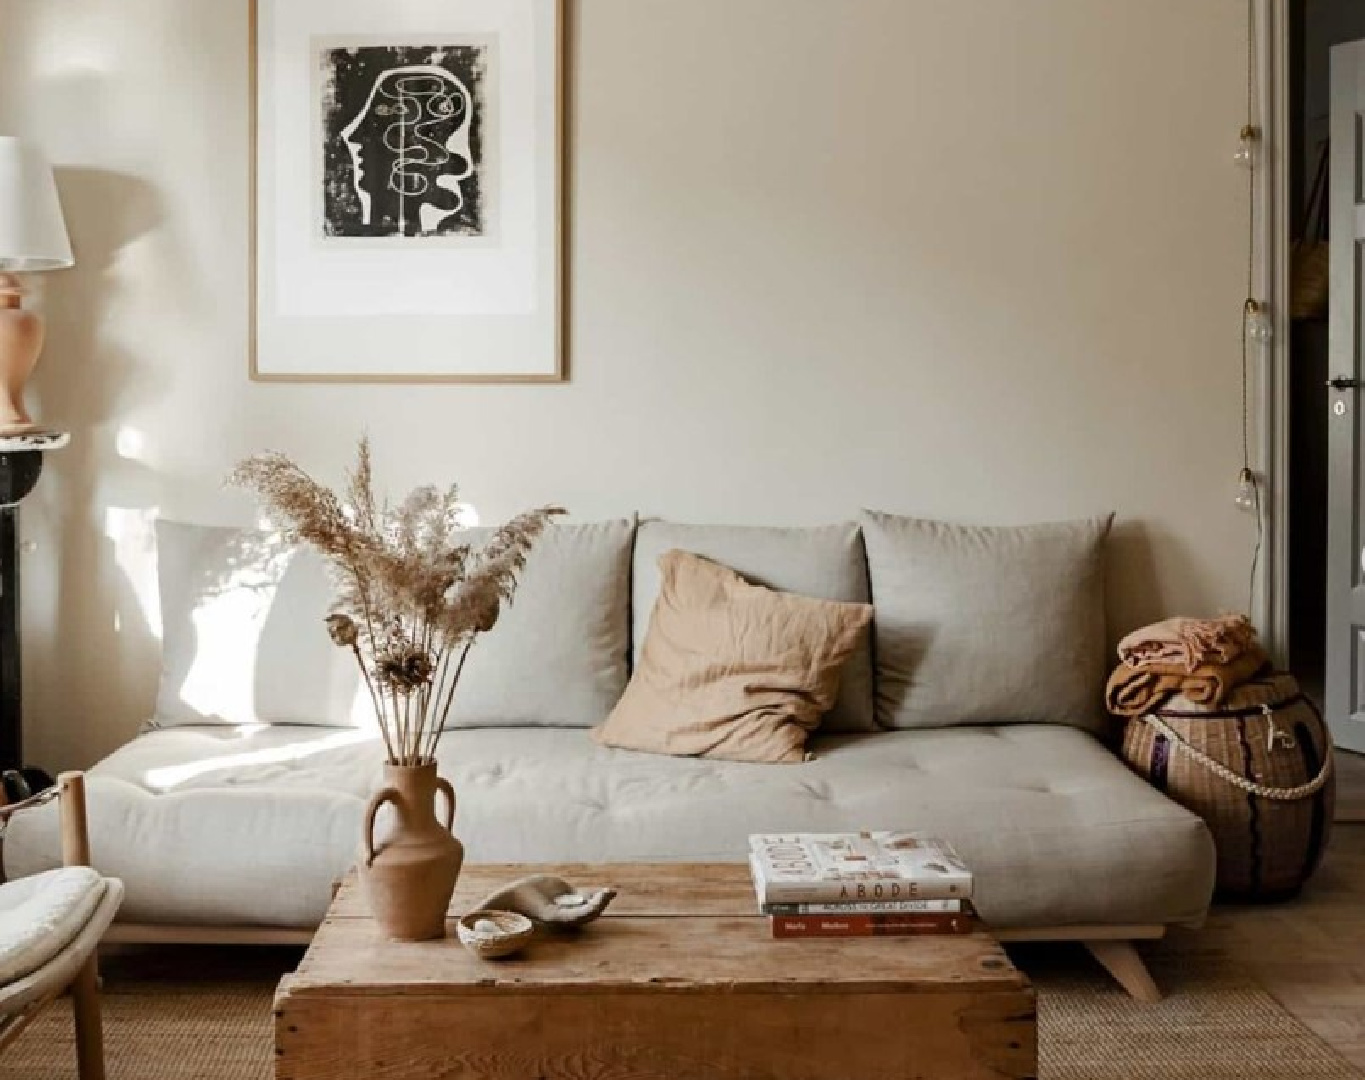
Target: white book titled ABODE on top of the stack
column 857, row 869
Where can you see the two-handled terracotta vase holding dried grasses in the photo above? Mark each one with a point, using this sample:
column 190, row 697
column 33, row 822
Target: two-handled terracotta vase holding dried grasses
column 410, row 877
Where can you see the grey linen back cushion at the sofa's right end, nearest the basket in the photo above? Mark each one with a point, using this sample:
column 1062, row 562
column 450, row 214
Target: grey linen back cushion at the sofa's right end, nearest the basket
column 988, row 626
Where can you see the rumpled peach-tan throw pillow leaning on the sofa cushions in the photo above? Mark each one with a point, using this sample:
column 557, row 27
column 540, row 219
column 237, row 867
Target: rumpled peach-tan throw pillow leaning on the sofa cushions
column 732, row 671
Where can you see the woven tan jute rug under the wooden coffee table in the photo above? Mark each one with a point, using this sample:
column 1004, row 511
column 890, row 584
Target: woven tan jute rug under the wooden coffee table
column 205, row 1015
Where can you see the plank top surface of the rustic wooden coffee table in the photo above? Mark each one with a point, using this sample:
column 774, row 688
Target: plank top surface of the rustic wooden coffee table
column 674, row 929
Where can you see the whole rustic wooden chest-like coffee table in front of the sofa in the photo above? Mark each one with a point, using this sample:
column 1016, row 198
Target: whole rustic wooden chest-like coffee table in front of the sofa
column 680, row 981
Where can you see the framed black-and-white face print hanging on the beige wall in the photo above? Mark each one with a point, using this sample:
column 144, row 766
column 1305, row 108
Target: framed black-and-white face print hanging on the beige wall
column 407, row 178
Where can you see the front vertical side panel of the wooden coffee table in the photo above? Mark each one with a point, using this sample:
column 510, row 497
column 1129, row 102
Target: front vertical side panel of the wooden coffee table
column 608, row 1037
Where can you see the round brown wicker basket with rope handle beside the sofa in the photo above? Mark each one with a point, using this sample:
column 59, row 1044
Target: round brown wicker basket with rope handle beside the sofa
column 1259, row 772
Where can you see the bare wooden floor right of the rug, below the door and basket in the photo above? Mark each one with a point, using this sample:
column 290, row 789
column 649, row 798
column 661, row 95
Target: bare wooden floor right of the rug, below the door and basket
column 1311, row 952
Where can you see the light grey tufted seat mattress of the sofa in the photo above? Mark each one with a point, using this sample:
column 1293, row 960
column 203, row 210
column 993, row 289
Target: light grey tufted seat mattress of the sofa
column 244, row 827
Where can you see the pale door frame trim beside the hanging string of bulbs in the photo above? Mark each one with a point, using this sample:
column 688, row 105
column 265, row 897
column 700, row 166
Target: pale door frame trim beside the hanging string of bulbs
column 1271, row 367
